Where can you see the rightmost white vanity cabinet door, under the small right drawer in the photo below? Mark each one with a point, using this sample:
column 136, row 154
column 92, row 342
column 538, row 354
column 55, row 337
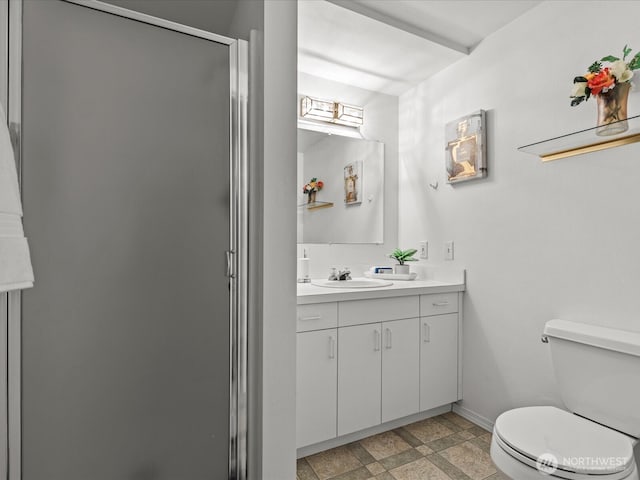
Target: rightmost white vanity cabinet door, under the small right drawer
column 438, row 360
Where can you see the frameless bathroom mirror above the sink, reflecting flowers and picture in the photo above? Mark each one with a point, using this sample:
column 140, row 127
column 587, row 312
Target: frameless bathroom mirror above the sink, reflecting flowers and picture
column 349, row 206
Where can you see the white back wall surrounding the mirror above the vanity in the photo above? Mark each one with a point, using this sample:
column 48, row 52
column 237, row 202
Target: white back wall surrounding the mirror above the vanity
column 381, row 123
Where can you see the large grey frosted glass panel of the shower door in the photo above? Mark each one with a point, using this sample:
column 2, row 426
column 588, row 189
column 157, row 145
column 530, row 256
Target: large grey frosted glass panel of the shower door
column 126, row 182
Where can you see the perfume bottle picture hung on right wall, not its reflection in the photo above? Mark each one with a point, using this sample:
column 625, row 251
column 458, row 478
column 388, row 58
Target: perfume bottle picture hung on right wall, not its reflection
column 466, row 148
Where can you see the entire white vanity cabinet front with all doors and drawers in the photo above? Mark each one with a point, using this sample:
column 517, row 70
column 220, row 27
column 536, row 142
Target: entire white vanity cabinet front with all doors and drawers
column 365, row 362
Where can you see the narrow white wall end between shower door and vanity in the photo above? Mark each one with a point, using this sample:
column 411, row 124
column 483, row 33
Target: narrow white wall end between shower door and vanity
column 279, row 207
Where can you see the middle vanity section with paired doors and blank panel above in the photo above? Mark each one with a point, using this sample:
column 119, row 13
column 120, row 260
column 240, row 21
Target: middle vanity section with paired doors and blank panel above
column 378, row 362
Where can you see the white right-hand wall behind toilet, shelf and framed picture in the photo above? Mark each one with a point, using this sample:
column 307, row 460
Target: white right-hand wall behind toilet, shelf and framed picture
column 540, row 241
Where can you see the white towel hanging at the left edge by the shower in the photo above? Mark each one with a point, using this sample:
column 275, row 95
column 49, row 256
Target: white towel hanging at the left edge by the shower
column 15, row 261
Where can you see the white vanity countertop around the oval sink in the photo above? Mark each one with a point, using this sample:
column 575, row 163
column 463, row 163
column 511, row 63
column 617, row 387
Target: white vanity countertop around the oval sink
column 309, row 293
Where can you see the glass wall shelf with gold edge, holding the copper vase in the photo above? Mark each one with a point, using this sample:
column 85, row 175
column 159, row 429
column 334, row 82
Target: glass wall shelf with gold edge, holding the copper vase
column 585, row 141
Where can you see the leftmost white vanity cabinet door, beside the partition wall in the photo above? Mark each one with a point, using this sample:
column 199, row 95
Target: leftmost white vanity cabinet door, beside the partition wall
column 316, row 386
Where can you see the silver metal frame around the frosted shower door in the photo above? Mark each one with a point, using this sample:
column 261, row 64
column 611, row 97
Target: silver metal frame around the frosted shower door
column 237, row 268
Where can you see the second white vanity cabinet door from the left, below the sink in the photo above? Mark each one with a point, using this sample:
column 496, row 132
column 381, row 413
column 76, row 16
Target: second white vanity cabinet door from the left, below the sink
column 359, row 382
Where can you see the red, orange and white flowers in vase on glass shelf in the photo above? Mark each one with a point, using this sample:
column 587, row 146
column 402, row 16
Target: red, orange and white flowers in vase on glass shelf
column 602, row 79
